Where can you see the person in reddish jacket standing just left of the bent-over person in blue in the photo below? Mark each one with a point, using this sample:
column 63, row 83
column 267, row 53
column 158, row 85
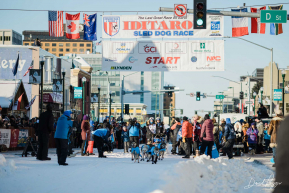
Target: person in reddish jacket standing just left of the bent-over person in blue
column 85, row 134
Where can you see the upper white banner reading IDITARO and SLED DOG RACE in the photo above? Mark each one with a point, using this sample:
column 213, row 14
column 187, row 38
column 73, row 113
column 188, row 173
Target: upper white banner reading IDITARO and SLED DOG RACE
column 159, row 26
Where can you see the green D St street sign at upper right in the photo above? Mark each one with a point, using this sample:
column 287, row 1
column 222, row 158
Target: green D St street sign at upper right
column 273, row 16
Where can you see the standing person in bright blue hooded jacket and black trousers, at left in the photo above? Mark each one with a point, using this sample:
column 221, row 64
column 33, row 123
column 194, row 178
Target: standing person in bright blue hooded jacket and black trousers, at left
column 64, row 125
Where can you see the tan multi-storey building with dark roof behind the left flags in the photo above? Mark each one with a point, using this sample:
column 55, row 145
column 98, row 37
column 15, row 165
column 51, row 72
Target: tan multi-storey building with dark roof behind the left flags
column 59, row 46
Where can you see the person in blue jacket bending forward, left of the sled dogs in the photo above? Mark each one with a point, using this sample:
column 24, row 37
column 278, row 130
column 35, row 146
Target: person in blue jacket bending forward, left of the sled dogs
column 101, row 136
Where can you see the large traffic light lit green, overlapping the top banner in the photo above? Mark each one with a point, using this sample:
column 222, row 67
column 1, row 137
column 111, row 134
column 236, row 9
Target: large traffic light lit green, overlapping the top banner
column 200, row 14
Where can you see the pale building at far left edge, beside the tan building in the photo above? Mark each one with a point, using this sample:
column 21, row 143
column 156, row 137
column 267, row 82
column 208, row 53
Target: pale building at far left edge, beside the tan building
column 10, row 37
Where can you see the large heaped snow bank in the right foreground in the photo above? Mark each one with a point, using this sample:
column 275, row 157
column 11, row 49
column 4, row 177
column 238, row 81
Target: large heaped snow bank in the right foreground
column 213, row 175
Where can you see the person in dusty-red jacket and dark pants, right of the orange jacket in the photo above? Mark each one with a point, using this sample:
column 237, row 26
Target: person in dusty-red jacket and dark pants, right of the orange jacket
column 207, row 136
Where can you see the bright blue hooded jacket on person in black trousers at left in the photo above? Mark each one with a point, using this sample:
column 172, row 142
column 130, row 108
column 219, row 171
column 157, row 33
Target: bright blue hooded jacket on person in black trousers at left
column 64, row 124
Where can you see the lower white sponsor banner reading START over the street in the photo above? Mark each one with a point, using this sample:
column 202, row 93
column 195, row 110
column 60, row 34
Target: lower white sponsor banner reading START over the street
column 198, row 55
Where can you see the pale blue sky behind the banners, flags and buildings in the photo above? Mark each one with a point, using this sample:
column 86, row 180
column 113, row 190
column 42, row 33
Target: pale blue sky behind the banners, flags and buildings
column 241, row 57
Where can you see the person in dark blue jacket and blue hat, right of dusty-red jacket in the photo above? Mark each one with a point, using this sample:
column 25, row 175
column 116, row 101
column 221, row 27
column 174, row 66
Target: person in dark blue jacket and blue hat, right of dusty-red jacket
column 229, row 138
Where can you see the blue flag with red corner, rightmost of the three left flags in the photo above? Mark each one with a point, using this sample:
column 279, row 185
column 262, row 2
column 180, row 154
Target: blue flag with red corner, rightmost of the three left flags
column 89, row 27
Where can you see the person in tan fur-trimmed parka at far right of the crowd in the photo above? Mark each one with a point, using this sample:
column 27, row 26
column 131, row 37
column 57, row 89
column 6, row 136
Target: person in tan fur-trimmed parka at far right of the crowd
column 273, row 130
